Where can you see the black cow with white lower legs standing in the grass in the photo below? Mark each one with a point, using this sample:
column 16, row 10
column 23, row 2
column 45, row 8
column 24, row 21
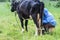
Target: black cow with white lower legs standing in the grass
column 25, row 8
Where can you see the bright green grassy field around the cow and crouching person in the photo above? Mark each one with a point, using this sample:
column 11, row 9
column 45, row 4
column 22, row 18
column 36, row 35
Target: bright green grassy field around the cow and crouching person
column 11, row 30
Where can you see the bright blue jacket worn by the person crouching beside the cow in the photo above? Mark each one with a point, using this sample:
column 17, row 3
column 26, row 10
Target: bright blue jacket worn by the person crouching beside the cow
column 48, row 17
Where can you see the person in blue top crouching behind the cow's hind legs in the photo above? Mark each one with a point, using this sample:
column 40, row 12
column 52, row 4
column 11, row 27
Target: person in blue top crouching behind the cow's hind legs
column 49, row 22
